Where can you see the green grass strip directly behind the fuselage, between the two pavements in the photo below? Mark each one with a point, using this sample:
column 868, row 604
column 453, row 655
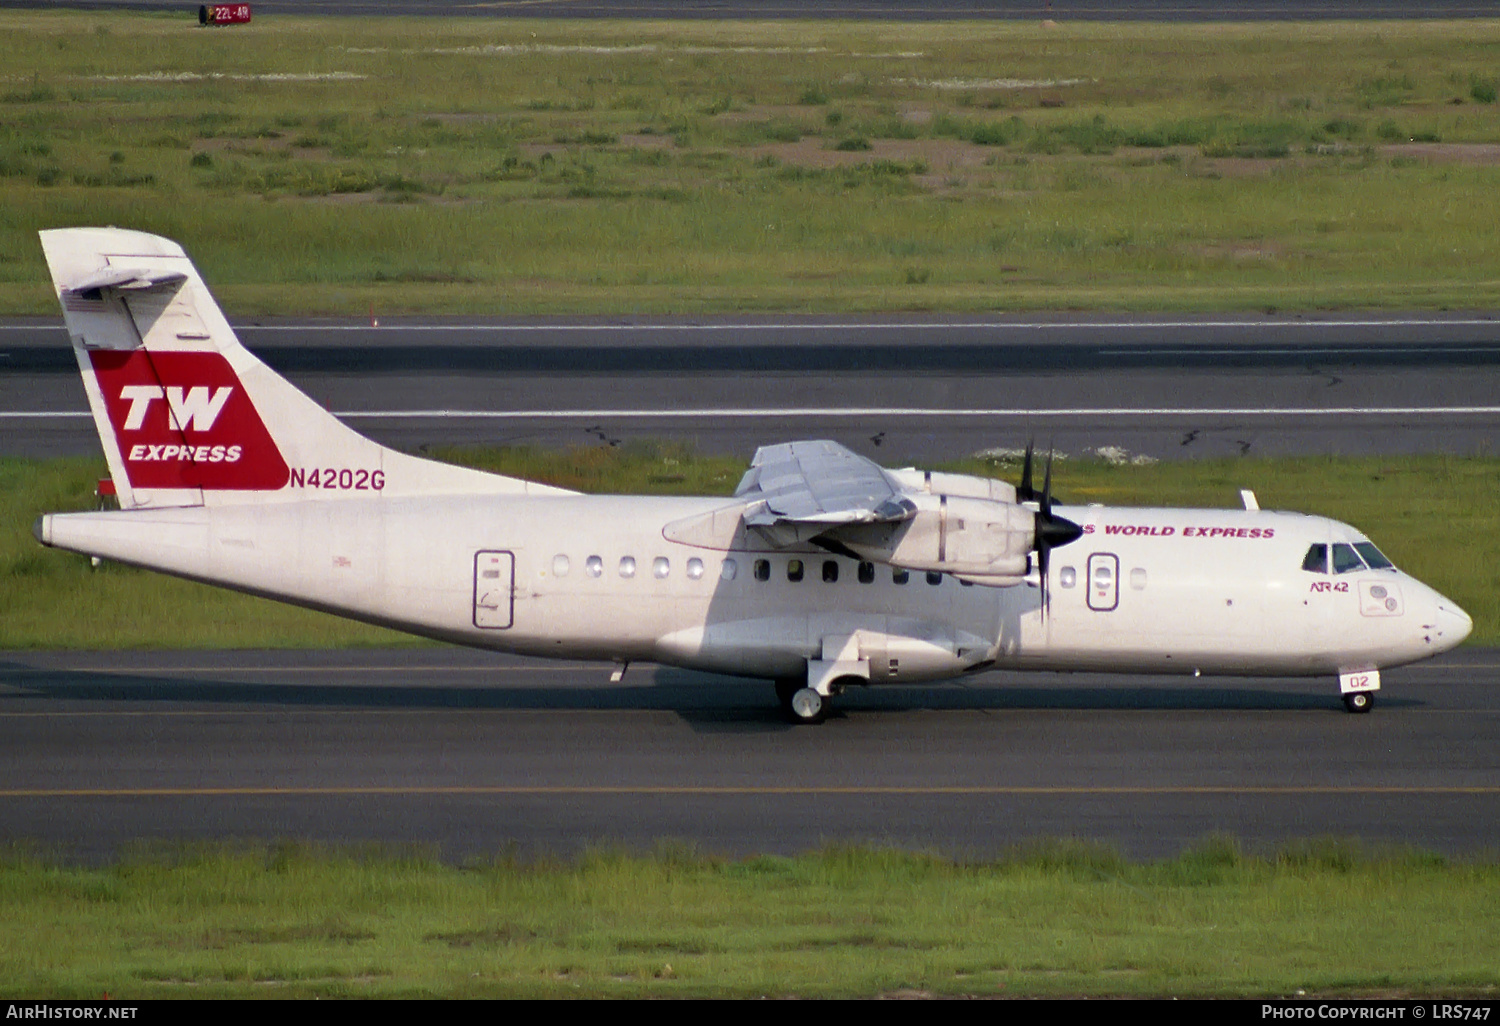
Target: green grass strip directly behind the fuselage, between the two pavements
column 1435, row 515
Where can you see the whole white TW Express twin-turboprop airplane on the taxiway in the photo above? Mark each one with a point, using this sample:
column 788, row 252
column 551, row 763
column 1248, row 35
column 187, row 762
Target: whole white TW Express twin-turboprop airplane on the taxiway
column 823, row 572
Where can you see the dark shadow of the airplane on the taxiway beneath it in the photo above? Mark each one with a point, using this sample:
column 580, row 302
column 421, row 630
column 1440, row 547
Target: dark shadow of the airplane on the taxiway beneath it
column 706, row 701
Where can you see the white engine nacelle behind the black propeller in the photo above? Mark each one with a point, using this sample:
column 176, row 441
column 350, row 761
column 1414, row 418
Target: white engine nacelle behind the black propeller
column 974, row 539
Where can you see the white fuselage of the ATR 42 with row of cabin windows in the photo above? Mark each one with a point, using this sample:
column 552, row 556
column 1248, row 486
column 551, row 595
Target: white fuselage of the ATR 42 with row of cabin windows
column 1150, row 590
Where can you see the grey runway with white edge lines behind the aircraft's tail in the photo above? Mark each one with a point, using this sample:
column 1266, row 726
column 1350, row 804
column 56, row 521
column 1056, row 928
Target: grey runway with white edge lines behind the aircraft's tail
column 899, row 389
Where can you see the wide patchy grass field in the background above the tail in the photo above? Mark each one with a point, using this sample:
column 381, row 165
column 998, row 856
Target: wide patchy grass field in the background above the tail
column 490, row 167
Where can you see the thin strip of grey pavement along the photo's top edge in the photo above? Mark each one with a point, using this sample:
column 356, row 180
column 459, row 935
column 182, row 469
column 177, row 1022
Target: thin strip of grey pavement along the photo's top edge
column 854, row 10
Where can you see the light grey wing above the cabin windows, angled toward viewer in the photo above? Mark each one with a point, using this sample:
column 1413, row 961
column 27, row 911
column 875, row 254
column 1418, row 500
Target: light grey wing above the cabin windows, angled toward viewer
column 818, row 485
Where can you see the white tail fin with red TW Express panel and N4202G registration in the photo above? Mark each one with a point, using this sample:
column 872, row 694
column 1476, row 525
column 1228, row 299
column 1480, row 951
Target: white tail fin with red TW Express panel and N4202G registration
column 190, row 416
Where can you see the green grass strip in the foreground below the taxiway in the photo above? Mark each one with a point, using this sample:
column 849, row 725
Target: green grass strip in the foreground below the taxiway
column 1054, row 920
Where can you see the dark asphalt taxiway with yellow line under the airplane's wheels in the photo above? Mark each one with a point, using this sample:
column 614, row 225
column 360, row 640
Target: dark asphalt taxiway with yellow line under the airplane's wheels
column 476, row 754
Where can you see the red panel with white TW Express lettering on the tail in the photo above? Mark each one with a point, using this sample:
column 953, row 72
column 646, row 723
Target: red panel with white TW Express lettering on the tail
column 184, row 421
